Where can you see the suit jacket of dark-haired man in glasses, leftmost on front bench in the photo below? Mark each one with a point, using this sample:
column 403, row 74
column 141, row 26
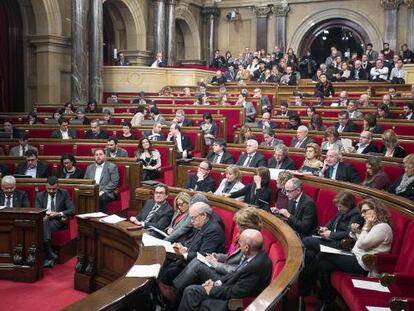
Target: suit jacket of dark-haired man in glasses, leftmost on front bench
column 161, row 219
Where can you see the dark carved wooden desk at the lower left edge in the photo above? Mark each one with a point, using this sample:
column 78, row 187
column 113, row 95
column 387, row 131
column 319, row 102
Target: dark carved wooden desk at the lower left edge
column 21, row 244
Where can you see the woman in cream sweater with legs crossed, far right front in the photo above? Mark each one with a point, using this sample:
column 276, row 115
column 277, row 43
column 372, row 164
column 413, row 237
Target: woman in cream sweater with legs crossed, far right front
column 374, row 237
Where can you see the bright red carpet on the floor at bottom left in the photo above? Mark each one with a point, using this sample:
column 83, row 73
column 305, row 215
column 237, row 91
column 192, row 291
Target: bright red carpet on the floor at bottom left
column 53, row 292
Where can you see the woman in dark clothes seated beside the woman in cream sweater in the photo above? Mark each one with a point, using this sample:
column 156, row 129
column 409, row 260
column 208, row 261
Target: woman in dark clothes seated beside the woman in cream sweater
column 330, row 235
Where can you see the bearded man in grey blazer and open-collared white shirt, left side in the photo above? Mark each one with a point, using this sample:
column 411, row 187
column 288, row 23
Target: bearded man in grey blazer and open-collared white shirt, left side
column 106, row 175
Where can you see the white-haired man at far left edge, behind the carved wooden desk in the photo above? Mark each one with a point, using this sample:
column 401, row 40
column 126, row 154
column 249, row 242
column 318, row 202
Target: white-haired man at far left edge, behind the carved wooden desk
column 10, row 196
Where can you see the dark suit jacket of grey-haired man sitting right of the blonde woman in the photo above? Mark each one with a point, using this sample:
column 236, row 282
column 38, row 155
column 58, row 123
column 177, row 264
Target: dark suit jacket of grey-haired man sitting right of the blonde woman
column 210, row 238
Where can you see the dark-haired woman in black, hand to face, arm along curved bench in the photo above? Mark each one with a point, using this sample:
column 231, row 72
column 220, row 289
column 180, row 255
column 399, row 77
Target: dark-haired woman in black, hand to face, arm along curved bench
column 258, row 192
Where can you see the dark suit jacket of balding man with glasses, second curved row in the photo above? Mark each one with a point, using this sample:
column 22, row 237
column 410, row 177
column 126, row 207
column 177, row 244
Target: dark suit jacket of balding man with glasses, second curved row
column 303, row 219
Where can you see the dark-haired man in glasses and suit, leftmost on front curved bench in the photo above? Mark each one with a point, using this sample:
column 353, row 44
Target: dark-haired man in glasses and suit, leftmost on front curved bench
column 156, row 212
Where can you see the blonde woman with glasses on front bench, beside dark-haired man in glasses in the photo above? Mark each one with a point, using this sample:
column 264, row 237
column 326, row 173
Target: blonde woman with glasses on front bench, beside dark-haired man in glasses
column 180, row 226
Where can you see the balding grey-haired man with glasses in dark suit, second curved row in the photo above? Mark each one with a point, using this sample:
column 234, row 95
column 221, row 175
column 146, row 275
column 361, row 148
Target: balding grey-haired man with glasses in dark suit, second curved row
column 301, row 213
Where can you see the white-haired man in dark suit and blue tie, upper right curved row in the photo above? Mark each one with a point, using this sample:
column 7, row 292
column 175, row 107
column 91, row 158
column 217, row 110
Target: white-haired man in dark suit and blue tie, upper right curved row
column 334, row 168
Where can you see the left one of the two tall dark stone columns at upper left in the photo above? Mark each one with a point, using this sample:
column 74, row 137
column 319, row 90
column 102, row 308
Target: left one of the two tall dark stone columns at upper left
column 79, row 82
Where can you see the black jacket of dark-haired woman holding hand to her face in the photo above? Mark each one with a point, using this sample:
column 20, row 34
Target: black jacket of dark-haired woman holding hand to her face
column 260, row 198
